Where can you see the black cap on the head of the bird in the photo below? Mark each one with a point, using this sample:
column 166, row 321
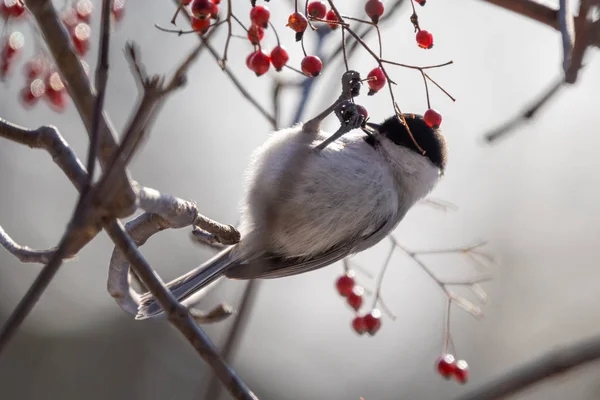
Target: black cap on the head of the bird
column 429, row 139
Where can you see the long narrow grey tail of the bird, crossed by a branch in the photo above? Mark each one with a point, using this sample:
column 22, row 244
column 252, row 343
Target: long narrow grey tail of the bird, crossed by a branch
column 189, row 284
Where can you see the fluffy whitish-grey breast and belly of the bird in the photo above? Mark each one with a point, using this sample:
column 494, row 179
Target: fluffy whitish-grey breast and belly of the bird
column 314, row 200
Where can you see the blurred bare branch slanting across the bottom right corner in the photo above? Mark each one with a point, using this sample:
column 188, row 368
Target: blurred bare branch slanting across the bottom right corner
column 554, row 363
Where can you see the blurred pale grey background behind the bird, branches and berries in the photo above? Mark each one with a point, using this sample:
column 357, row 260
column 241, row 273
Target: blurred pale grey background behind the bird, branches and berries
column 533, row 196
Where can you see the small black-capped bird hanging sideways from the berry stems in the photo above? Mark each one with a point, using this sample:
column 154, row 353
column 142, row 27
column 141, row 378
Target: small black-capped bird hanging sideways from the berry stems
column 307, row 206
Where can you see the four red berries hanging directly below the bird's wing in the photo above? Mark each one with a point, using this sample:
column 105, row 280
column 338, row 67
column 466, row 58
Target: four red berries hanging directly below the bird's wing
column 369, row 323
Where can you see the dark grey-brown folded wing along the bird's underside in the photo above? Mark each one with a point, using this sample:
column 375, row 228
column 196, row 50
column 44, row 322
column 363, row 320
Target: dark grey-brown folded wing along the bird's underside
column 274, row 266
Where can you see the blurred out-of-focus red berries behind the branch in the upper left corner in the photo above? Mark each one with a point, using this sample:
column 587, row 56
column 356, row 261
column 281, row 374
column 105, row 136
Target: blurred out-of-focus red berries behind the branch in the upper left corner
column 43, row 80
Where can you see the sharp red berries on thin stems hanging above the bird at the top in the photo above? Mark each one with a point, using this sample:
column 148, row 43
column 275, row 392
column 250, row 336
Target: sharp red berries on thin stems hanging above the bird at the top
column 315, row 13
